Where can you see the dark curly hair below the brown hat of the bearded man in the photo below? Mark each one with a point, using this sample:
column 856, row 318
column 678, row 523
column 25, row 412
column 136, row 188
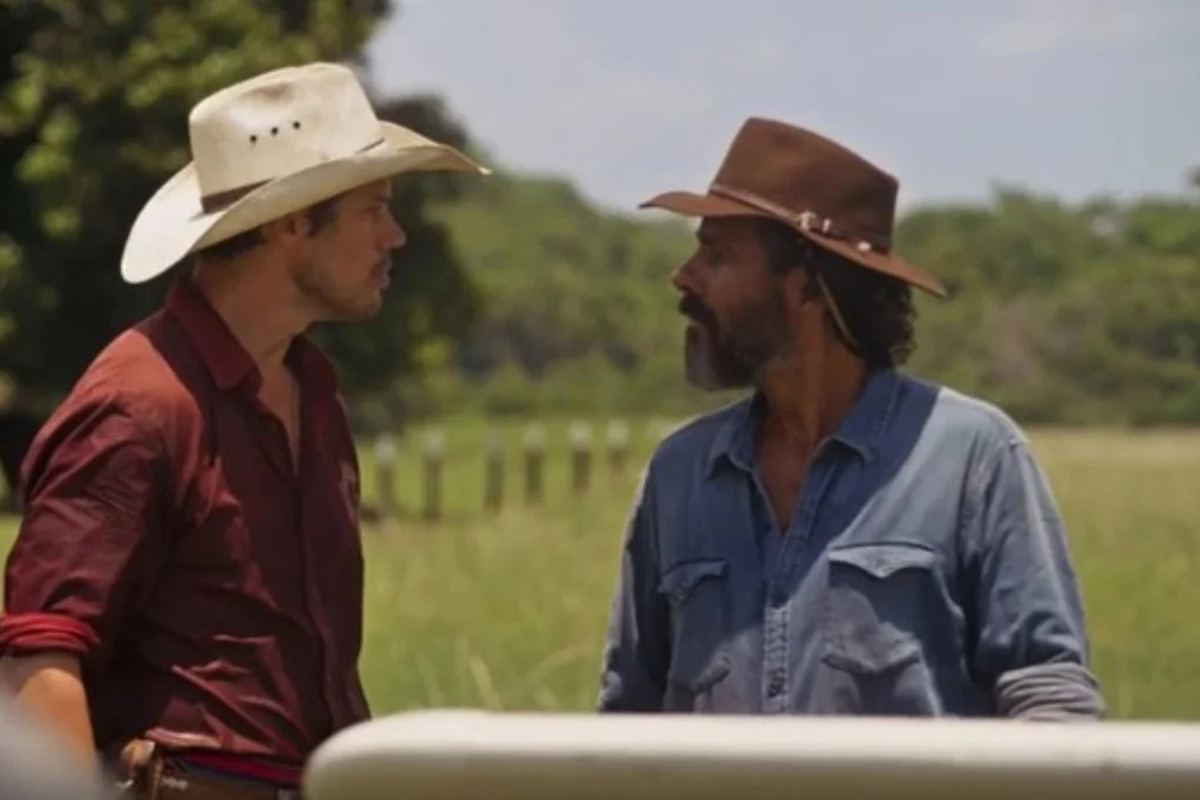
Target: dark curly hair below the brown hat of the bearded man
column 878, row 309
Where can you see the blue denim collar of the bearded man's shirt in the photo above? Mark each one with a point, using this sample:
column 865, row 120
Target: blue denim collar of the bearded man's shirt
column 861, row 430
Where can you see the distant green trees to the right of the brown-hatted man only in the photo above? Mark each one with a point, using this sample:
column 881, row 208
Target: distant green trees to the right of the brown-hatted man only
column 1069, row 315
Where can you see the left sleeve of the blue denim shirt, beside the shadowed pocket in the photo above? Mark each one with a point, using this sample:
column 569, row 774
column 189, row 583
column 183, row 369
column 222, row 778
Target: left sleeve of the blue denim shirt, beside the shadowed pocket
column 637, row 652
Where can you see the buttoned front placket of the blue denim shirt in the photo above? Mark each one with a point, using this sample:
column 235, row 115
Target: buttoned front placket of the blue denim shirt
column 782, row 587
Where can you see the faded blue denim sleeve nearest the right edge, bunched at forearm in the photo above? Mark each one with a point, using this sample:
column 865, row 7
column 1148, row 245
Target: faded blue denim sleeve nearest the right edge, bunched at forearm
column 1031, row 641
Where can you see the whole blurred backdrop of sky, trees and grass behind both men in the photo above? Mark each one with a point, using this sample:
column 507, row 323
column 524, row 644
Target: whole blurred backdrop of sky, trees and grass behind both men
column 529, row 358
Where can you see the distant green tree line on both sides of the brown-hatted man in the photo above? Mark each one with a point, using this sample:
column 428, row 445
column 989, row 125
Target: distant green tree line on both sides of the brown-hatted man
column 1061, row 314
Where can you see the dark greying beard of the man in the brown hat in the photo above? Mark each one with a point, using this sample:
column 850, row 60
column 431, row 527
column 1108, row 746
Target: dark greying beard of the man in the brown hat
column 733, row 356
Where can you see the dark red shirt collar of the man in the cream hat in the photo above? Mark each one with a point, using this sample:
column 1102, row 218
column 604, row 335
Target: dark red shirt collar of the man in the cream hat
column 225, row 357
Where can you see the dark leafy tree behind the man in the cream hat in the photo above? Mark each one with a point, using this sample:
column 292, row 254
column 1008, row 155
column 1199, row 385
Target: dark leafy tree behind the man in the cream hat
column 94, row 104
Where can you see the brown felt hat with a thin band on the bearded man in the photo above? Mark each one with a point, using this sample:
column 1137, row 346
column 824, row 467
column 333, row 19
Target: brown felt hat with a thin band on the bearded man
column 830, row 195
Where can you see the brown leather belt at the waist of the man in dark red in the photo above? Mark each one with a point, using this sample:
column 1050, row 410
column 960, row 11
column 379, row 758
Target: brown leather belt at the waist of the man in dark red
column 147, row 774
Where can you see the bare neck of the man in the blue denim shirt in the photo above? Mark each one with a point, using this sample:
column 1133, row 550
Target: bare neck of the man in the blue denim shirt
column 807, row 398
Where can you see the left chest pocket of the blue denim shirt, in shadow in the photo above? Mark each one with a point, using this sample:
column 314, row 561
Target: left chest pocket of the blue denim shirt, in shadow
column 698, row 594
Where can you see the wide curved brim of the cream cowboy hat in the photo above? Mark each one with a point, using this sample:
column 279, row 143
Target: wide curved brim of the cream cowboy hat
column 173, row 224
